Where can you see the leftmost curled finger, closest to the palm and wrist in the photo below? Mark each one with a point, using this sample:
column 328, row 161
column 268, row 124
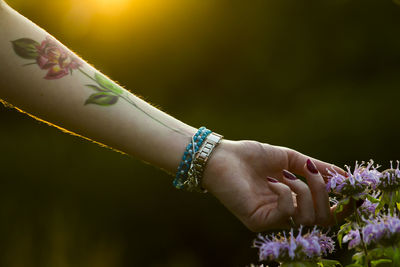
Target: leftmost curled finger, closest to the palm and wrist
column 279, row 217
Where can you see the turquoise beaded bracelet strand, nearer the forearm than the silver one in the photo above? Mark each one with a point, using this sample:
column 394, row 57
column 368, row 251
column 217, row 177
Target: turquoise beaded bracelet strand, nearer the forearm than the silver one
column 188, row 156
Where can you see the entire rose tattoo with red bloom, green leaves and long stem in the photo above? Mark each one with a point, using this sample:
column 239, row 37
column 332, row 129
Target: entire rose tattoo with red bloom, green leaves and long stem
column 59, row 62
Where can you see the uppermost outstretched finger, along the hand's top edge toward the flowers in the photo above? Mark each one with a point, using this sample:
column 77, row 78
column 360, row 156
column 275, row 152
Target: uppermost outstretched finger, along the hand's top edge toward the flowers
column 297, row 161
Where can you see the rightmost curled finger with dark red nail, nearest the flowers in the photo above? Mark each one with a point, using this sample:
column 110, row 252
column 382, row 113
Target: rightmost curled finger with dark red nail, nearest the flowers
column 319, row 193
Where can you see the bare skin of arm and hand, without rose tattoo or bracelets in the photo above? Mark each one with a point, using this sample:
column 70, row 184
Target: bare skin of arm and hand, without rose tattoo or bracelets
column 236, row 173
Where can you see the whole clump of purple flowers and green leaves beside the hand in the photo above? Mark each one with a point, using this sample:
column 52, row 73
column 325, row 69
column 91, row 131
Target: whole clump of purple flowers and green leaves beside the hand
column 373, row 229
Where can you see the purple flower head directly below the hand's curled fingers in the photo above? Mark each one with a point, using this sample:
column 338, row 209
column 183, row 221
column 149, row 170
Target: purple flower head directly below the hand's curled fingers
column 310, row 246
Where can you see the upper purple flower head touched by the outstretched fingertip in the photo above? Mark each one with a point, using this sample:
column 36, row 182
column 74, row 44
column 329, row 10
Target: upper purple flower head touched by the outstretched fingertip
column 354, row 183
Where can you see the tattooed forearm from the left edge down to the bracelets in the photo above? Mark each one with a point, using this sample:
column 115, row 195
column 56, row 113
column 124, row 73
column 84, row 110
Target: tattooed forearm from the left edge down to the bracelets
column 64, row 90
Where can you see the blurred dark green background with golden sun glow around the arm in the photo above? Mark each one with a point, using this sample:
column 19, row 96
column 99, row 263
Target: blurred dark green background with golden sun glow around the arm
column 322, row 77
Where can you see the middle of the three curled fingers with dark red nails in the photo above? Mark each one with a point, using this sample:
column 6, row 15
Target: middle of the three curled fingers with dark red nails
column 305, row 214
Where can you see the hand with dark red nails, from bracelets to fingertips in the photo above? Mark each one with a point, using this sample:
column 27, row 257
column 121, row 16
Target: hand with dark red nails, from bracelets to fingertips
column 255, row 182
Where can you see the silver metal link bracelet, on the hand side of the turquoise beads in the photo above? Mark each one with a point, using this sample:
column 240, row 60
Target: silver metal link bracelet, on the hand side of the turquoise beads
column 195, row 174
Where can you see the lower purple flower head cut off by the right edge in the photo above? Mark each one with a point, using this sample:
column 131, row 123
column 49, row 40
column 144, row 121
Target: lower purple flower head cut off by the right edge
column 381, row 230
